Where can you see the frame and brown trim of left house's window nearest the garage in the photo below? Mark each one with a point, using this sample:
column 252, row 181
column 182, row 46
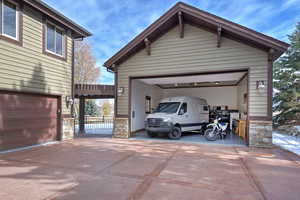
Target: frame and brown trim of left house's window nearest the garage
column 62, row 56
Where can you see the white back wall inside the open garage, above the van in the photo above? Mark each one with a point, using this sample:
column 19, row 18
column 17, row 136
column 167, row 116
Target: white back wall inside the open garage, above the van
column 215, row 96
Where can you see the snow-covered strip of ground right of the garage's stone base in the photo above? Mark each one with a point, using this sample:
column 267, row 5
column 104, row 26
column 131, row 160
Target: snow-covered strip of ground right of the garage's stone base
column 290, row 143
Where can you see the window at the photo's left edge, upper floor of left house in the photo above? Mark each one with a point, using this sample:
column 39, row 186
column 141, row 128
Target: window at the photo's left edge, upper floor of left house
column 9, row 19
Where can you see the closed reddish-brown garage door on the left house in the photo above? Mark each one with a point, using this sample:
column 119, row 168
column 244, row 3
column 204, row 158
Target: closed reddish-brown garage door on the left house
column 27, row 119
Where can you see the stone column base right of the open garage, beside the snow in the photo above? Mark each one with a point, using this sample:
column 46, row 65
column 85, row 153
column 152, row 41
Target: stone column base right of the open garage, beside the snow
column 260, row 133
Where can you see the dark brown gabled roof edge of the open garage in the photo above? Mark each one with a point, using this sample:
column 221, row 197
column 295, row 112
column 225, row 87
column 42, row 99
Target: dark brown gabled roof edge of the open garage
column 268, row 42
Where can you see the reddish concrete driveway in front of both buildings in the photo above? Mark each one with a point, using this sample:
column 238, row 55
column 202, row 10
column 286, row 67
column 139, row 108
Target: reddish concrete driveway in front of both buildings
column 104, row 168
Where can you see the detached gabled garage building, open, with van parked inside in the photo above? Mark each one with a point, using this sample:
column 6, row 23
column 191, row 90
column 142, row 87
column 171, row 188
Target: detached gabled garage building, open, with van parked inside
column 190, row 52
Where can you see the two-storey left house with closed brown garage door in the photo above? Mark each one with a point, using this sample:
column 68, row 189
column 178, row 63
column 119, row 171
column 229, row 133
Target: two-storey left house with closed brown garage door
column 36, row 73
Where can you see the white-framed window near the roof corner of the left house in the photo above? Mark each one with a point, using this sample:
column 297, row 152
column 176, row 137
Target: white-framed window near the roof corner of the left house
column 55, row 40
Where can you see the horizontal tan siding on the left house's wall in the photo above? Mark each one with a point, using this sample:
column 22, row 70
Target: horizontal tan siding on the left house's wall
column 26, row 68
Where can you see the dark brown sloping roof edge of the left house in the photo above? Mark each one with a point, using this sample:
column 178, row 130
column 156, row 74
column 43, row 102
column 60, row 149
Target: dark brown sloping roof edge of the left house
column 78, row 30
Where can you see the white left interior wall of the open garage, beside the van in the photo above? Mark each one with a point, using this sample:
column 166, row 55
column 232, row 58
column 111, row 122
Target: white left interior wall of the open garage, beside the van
column 139, row 91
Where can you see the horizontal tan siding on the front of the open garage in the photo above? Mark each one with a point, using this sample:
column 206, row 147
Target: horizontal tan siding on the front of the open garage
column 197, row 52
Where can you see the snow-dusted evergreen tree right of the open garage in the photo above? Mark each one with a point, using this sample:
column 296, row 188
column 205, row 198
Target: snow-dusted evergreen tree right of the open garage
column 286, row 99
